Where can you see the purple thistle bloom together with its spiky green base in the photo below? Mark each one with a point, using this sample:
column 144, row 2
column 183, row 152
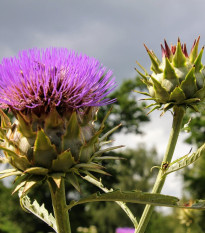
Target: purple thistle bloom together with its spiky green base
column 54, row 95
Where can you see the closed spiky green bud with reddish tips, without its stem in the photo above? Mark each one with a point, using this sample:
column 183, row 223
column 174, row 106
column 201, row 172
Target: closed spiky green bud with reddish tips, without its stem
column 179, row 79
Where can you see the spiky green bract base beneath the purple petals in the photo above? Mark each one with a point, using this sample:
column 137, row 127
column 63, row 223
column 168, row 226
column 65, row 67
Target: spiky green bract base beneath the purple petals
column 53, row 146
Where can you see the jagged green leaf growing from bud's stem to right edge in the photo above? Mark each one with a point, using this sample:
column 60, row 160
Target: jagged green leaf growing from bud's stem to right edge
column 186, row 161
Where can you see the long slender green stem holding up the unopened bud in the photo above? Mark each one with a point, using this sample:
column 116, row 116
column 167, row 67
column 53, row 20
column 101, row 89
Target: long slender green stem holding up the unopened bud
column 176, row 126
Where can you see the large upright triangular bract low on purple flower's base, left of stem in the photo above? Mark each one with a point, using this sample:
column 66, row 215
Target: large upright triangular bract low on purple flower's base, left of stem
column 44, row 151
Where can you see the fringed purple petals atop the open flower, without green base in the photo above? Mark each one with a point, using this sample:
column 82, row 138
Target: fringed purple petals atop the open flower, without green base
column 54, row 77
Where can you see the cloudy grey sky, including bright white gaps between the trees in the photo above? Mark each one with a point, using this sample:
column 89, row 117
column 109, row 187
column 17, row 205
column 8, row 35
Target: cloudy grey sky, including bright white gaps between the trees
column 112, row 31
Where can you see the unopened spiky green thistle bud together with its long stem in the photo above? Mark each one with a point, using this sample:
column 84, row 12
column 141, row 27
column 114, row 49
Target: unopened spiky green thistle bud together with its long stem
column 176, row 82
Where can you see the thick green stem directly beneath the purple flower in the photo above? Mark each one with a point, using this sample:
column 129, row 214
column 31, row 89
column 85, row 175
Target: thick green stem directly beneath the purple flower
column 59, row 206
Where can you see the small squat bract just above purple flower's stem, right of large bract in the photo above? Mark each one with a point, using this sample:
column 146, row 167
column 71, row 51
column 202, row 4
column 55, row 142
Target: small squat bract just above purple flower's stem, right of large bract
column 64, row 162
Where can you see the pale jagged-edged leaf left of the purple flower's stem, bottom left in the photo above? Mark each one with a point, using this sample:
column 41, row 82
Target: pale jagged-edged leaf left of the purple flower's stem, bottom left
column 37, row 210
